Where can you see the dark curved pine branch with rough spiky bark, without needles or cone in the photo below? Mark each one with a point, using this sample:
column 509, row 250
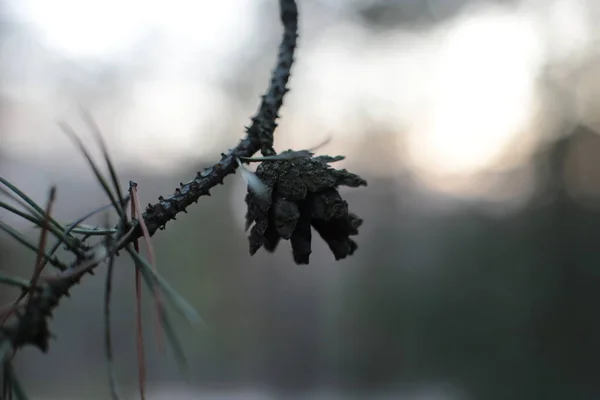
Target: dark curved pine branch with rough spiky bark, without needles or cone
column 31, row 325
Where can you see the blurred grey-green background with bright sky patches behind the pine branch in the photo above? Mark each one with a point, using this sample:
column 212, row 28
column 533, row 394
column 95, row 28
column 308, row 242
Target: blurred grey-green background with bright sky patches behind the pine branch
column 474, row 122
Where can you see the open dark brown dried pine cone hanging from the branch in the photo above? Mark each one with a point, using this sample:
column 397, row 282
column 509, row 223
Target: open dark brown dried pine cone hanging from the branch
column 302, row 192
